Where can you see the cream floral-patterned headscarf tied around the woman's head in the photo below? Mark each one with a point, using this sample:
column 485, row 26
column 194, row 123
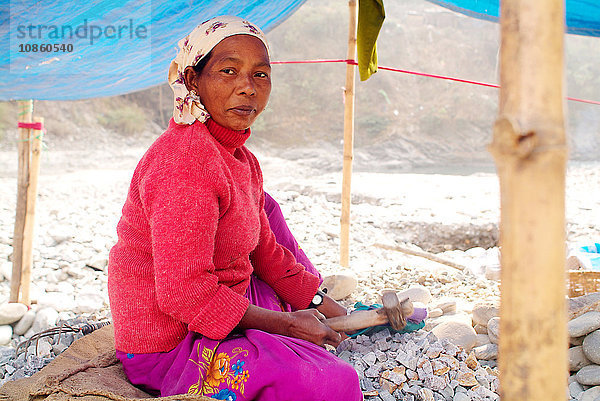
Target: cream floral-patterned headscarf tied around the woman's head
column 195, row 46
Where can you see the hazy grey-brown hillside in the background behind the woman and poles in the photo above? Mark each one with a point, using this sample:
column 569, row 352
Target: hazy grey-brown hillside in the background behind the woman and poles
column 402, row 121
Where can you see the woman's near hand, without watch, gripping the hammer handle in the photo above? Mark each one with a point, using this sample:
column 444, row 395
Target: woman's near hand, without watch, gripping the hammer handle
column 307, row 325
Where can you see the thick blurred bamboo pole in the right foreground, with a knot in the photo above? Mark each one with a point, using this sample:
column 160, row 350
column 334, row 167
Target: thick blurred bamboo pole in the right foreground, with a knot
column 529, row 147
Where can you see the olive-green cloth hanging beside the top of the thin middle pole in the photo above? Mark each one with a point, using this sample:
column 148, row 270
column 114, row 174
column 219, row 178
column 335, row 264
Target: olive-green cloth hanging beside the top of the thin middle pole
column 370, row 18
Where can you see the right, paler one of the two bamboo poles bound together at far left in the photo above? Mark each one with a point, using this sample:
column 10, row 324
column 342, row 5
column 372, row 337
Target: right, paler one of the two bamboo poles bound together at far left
column 34, row 170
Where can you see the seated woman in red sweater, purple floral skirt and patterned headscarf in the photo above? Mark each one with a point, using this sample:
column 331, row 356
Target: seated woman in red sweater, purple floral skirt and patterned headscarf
column 203, row 298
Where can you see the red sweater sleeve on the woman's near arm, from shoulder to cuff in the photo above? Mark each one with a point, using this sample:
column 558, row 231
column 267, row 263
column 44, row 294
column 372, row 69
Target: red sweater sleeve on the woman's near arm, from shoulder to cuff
column 181, row 200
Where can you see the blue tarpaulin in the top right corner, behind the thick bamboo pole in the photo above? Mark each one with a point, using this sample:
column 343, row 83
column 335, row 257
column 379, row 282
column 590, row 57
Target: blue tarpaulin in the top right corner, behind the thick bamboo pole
column 582, row 16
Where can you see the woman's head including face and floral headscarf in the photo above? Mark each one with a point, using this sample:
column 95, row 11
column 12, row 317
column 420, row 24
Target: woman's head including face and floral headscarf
column 222, row 71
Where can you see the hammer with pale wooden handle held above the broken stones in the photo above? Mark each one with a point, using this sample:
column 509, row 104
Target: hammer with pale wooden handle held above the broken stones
column 393, row 312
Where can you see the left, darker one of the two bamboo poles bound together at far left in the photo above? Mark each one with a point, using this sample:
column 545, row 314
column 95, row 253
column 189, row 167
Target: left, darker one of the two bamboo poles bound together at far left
column 25, row 112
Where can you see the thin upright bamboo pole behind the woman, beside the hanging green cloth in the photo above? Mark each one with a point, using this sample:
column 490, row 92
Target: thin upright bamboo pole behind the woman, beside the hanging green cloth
column 348, row 137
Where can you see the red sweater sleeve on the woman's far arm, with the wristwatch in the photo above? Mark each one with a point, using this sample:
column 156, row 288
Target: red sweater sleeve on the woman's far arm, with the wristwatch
column 276, row 265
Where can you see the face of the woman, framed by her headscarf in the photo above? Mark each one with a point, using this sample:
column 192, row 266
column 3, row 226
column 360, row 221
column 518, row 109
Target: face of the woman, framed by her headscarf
column 235, row 84
